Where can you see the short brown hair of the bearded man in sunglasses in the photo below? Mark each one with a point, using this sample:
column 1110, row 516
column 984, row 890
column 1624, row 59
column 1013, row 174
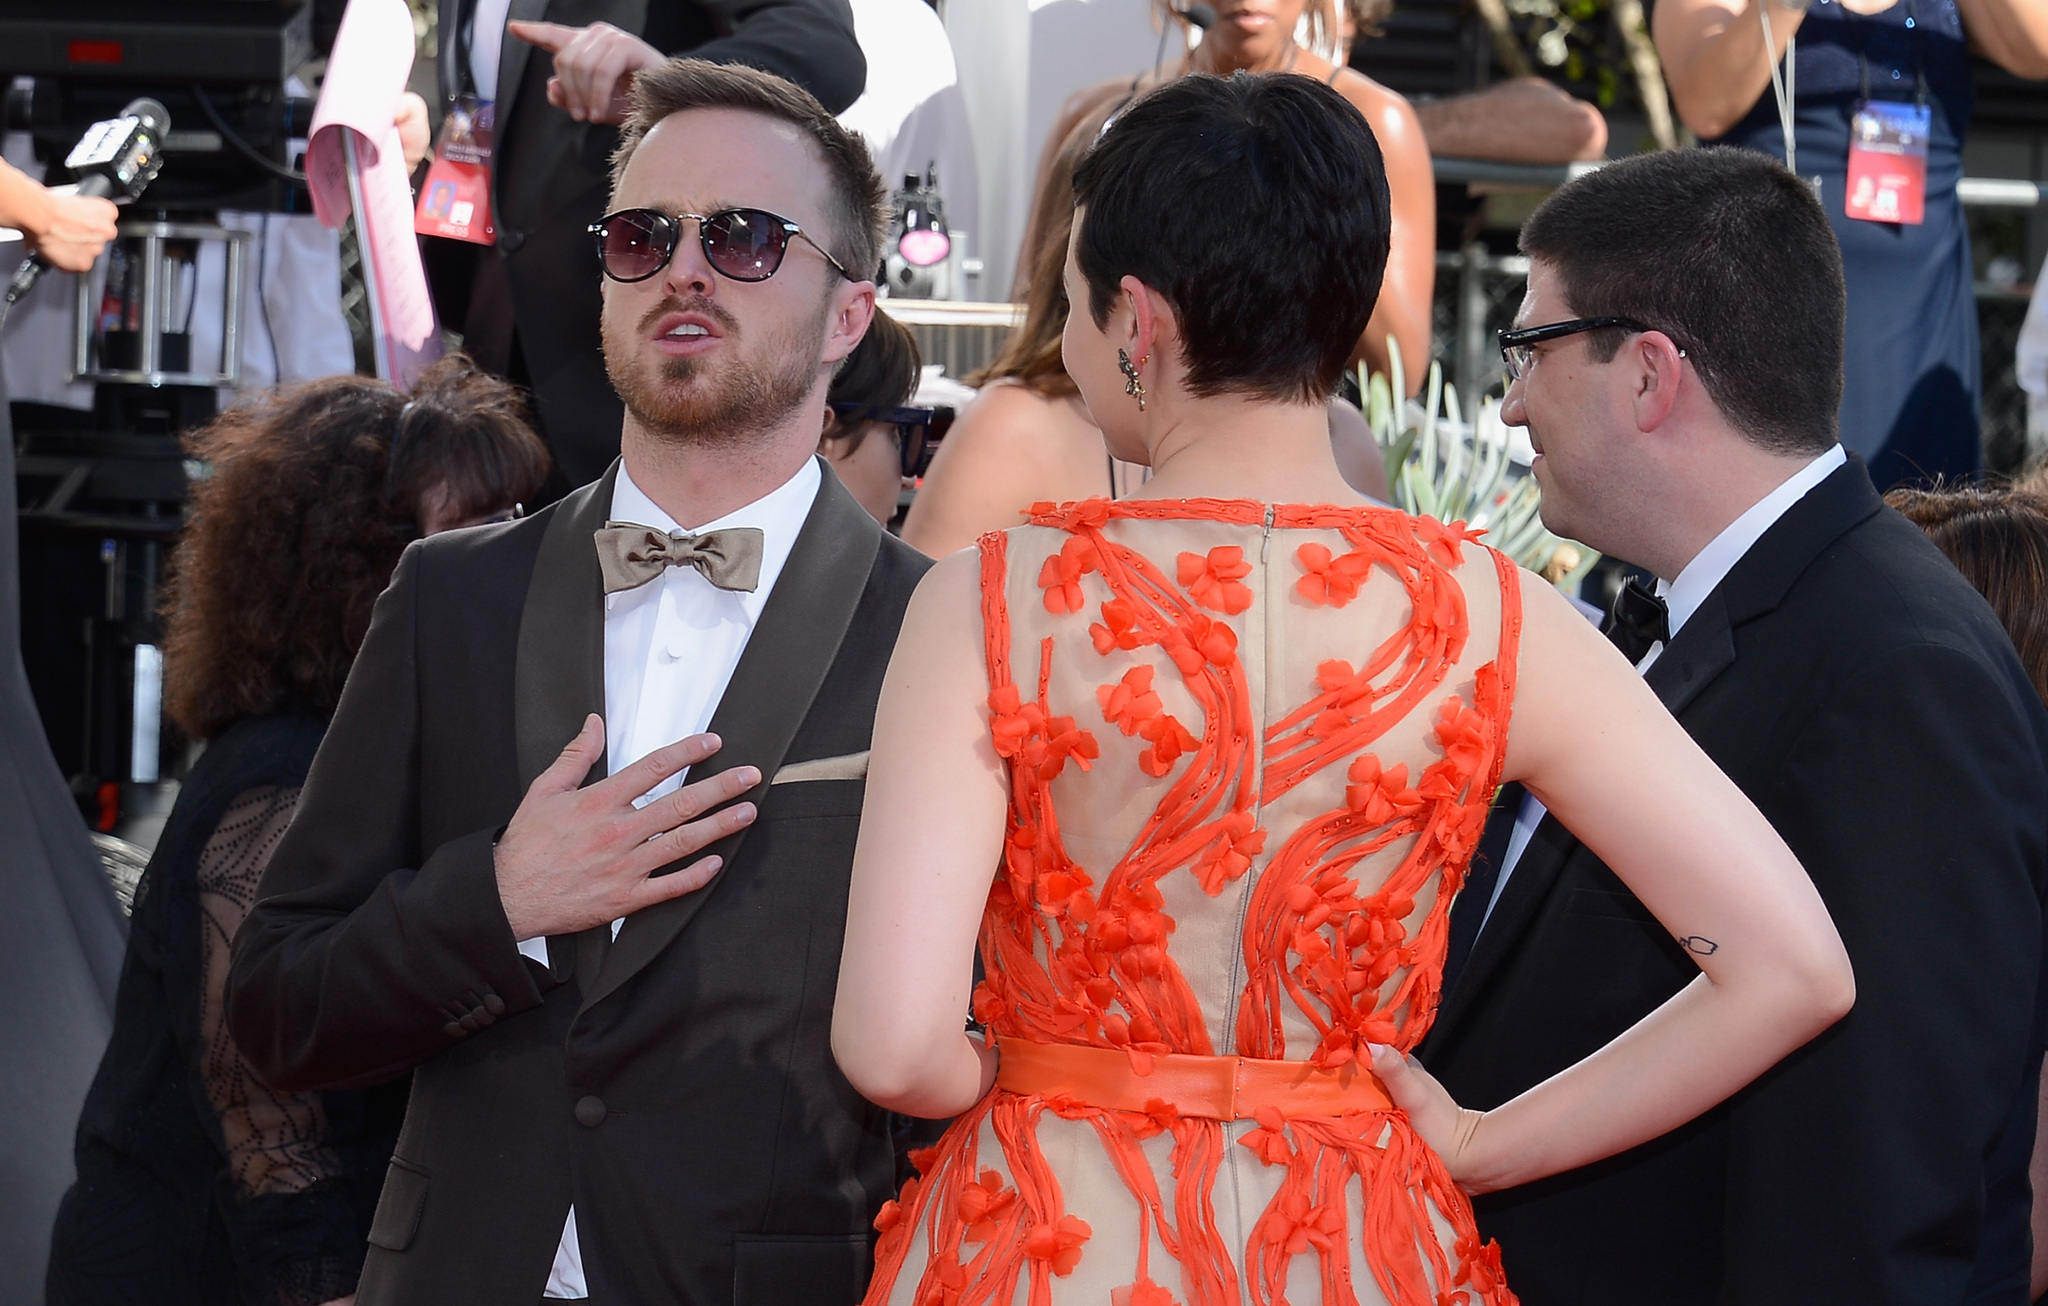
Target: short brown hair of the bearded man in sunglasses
column 859, row 210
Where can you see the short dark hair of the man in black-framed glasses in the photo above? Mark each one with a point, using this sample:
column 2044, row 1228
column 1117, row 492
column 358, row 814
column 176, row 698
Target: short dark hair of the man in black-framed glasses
column 1734, row 259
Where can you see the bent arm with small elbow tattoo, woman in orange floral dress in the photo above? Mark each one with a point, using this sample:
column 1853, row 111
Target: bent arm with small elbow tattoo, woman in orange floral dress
column 1609, row 760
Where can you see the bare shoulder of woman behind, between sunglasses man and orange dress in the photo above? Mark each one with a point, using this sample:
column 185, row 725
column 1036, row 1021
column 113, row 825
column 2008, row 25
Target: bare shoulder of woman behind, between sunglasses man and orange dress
column 1002, row 455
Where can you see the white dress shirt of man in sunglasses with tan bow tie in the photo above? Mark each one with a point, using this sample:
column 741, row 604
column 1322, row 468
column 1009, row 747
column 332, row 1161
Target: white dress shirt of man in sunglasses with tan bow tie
column 671, row 650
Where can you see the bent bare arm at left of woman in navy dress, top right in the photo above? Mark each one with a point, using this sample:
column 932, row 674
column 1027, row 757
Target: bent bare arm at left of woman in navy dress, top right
column 1715, row 60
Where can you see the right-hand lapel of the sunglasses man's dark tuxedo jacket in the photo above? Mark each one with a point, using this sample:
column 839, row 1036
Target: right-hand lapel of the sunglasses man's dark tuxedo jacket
column 769, row 695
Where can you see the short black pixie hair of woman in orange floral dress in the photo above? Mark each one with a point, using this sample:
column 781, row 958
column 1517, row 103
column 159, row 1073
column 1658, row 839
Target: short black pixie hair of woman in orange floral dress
column 1258, row 208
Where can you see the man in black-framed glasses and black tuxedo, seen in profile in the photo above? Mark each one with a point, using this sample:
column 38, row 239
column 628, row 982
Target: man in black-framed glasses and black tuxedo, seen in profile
column 1857, row 689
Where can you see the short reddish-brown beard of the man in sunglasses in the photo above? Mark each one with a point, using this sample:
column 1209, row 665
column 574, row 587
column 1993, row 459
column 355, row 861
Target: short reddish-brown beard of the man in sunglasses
column 687, row 402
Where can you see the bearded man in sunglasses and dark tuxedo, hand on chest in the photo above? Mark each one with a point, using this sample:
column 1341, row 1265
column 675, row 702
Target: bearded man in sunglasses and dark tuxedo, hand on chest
column 624, row 1084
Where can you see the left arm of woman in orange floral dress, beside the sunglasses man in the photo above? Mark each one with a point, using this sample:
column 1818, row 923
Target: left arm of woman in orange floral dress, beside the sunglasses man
column 931, row 838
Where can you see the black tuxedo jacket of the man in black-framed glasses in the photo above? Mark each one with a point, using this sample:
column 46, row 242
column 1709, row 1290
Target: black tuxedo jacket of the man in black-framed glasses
column 1873, row 707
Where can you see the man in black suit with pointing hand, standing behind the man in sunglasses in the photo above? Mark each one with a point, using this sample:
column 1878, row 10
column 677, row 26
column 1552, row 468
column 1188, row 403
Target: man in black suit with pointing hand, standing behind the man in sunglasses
column 558, row 73
